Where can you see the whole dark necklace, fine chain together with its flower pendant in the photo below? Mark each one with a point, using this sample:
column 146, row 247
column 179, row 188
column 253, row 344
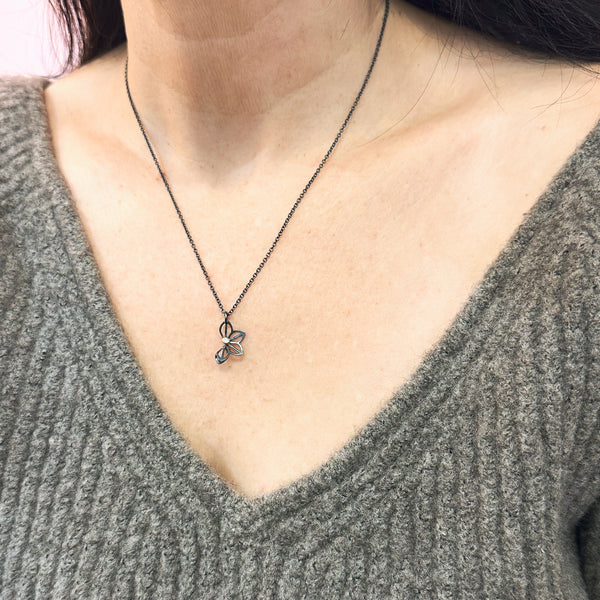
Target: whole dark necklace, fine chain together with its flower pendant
column 230, row 337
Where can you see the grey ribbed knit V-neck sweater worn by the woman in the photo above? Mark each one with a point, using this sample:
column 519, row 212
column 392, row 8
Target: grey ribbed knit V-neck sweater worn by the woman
column 480, row 478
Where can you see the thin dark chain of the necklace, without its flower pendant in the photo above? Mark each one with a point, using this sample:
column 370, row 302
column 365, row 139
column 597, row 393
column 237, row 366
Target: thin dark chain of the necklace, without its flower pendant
column 300, row 197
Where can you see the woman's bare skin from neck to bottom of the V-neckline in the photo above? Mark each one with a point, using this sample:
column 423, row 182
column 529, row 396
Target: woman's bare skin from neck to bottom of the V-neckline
column 432, row 177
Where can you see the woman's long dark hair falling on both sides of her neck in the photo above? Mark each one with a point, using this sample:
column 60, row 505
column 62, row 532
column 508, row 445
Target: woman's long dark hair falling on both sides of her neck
column 567, row 30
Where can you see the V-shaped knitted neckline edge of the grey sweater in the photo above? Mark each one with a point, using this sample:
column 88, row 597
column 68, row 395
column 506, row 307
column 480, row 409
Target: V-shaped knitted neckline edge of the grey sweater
column 163, row 450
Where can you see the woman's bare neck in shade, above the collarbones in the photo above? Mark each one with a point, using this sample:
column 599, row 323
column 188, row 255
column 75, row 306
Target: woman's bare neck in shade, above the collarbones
column 240, row 59
